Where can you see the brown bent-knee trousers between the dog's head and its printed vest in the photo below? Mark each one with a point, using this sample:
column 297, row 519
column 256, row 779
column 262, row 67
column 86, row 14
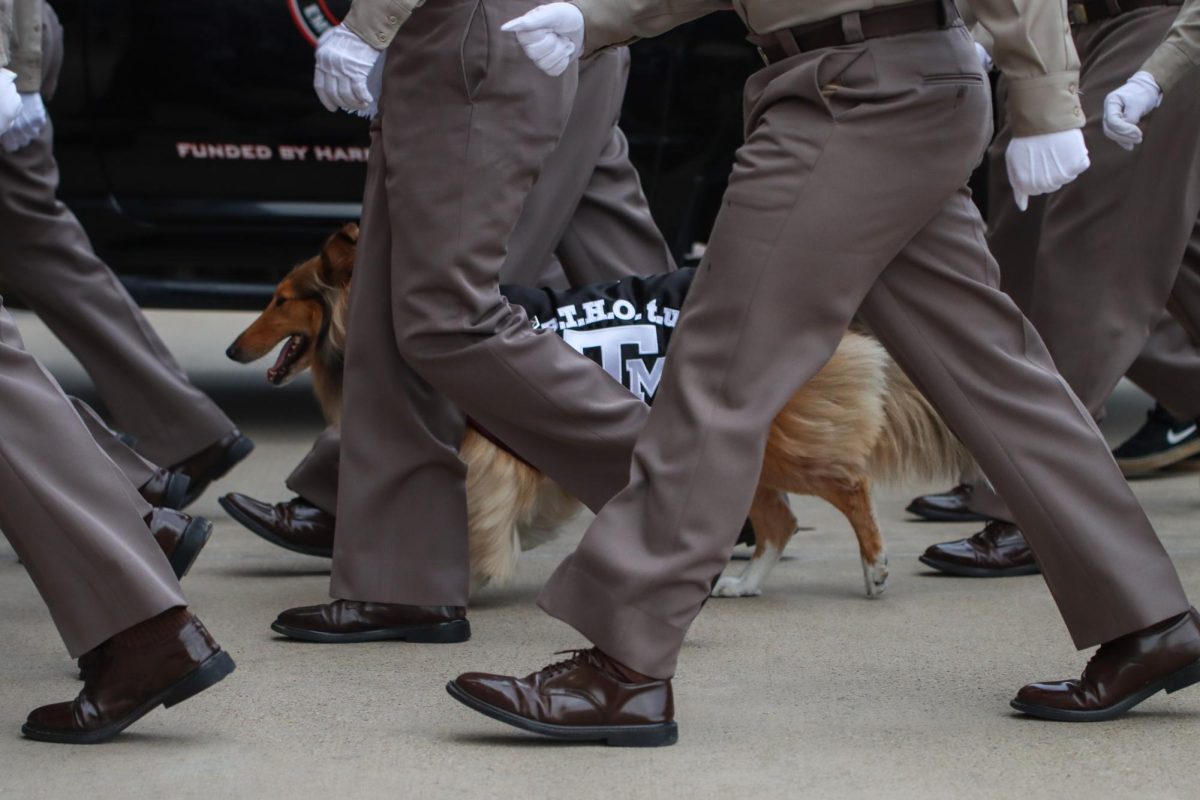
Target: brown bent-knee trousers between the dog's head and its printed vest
column 467, row 123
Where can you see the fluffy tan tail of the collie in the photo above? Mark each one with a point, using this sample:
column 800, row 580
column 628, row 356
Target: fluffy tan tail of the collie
column 915, row 443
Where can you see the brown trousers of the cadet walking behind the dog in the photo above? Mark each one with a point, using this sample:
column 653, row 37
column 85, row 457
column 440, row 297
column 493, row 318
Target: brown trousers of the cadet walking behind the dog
column 579, row 226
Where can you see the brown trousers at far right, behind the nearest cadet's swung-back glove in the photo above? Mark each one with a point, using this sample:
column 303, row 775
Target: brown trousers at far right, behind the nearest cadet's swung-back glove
column 1096, row 264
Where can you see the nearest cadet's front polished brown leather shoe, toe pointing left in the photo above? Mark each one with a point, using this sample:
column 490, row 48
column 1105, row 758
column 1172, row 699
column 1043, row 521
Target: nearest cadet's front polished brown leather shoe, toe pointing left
column 590, row 697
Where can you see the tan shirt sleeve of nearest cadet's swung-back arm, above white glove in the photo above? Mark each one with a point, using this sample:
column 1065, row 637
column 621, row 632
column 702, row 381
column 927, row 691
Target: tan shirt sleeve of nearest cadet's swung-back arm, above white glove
column 1035, row 51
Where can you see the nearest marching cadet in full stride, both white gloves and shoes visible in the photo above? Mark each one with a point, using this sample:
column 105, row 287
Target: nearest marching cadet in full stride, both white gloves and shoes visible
column 850, row 197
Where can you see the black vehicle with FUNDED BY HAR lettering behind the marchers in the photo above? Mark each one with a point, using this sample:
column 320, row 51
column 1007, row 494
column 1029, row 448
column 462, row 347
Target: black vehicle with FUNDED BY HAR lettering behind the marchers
column 202, row 165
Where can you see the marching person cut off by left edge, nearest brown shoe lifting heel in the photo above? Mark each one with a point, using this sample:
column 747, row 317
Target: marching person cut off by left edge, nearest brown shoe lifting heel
column 79, row 527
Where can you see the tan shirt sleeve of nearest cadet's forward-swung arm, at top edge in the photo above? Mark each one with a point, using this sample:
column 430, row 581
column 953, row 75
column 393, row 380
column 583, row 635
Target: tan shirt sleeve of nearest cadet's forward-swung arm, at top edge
column 613, row 23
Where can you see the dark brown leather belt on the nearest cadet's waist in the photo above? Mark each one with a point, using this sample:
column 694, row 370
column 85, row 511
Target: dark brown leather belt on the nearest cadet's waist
column 857, row 27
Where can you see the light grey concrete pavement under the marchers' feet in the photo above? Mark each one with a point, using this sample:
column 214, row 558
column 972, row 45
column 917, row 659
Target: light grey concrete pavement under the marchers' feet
column 809, row 691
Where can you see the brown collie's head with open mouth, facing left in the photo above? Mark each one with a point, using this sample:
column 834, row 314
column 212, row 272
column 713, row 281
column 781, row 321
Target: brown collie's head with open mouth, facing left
column 302, row 310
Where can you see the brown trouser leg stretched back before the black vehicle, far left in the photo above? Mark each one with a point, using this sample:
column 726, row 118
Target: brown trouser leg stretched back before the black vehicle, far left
column 49, row 262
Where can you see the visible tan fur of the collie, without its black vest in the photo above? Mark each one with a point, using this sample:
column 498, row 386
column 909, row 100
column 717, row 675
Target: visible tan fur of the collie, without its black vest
column 857, row 422
